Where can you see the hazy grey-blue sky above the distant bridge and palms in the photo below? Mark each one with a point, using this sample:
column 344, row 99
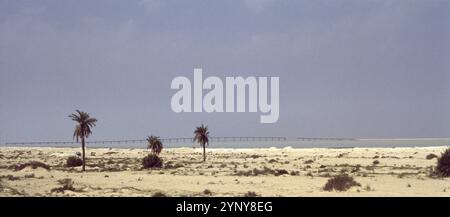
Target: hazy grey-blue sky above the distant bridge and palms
column 347, row 68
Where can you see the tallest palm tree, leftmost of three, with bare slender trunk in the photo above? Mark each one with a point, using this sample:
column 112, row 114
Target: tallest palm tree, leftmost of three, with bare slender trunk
column 83, row 129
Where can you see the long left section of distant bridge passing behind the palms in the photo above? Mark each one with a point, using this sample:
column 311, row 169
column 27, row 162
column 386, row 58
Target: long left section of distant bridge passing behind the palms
column 144, row 141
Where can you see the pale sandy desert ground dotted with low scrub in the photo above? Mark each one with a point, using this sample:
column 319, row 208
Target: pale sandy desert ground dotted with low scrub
column 227, row 172
